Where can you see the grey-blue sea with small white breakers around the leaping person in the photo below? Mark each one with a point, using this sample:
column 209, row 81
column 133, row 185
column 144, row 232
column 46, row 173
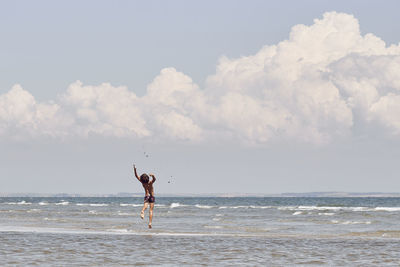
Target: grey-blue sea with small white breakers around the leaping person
column 199, row 231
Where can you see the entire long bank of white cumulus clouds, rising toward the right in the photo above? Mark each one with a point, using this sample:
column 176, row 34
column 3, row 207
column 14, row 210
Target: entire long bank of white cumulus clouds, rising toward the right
column 317, row 85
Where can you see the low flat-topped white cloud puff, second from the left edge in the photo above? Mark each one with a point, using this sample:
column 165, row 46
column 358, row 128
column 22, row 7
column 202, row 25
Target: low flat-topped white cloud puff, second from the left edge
column 104, row 110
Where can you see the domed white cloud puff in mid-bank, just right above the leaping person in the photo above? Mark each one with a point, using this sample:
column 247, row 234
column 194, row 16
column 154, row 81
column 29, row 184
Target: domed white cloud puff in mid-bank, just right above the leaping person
column 170, row 105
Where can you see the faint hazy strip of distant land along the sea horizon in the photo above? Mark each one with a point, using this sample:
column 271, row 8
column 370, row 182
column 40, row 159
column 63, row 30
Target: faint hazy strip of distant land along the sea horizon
column 226, row 195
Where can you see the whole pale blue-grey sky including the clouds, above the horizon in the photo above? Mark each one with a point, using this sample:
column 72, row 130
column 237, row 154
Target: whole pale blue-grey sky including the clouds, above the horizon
column 211, row 96
